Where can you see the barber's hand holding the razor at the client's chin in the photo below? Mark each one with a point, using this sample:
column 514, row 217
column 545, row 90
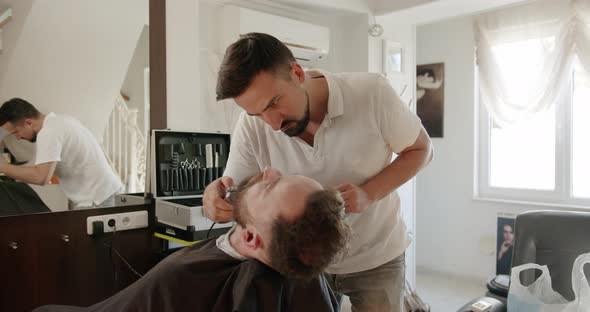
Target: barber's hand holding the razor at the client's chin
column 215, row 206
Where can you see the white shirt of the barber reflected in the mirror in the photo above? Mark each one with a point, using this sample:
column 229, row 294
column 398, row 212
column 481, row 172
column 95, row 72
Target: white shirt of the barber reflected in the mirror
column 82, row 169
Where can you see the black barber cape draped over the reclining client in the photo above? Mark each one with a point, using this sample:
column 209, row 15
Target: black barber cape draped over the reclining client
column 203, row 278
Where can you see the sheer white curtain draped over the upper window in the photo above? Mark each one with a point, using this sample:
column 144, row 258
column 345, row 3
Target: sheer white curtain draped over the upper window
column 525, row 55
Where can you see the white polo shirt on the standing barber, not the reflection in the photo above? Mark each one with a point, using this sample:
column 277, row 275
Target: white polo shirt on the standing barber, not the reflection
column 366, row 122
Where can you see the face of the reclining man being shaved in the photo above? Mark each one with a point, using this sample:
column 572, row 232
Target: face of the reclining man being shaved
column 264, row 197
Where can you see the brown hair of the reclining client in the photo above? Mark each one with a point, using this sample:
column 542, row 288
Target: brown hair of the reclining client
column 304, row 248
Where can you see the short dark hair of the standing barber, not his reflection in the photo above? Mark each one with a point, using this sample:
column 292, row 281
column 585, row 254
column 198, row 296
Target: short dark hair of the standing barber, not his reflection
column 244, row 59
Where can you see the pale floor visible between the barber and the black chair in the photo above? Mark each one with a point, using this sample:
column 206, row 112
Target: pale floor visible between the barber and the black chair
column 444, row 293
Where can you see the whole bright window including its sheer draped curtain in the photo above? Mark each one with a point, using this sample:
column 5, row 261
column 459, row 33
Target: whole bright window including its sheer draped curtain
column 533, row 66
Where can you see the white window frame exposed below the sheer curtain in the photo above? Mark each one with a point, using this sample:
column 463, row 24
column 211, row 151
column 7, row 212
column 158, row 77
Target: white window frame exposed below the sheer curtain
column 562, row 195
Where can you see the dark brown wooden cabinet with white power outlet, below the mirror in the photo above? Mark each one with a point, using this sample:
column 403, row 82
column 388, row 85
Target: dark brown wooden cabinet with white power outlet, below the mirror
column 49, row 259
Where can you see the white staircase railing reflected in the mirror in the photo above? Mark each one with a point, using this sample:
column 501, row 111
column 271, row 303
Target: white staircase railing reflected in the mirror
column 124, row 145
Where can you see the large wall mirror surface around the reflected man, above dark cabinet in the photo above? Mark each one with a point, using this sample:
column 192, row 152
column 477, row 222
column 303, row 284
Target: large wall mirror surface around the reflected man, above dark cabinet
column 88, row 60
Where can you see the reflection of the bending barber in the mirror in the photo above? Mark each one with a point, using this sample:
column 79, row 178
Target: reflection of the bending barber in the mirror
column 64, row 148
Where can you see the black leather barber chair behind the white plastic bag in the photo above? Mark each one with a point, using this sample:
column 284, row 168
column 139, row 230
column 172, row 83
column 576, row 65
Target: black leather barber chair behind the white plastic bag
column 552, row 238
